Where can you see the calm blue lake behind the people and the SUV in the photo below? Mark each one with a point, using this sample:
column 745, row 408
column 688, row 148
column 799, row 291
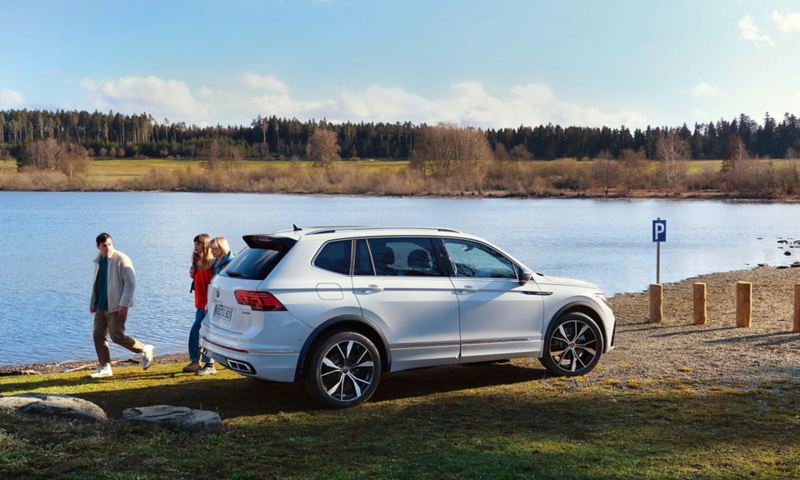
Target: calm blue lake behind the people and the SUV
column 46, row 272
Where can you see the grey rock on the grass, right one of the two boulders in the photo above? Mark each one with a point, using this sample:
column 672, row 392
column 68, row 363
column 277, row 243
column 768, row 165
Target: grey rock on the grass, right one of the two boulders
column 176, row 418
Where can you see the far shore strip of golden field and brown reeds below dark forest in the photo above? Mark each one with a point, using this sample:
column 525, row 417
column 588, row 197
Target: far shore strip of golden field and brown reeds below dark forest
column 563, row 178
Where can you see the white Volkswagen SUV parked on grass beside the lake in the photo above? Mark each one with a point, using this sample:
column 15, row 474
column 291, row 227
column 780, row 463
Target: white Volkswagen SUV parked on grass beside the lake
column 338, row 306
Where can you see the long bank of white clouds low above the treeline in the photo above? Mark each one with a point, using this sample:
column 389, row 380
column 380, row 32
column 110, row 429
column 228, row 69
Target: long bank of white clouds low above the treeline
column 468, row 103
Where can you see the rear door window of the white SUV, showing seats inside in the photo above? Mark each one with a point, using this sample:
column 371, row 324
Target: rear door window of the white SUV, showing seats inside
column 405, row 257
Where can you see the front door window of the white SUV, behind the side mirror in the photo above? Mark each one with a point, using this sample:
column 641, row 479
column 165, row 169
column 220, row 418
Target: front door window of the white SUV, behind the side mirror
column 472, row 259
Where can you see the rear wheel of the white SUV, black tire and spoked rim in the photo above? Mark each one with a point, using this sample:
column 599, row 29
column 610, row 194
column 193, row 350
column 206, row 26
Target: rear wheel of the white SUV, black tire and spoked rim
column 343, row 370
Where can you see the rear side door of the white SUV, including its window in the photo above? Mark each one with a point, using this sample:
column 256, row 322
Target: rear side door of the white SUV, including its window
column 401, row 283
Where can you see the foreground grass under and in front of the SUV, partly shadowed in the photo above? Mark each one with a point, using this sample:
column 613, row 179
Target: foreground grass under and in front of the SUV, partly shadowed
column 493, row 421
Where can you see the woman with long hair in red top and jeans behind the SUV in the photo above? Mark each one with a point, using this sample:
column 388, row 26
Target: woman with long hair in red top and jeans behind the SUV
column 201, row 271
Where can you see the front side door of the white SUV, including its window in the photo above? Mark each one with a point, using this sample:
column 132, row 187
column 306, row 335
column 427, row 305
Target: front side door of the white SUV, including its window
column 499, row 317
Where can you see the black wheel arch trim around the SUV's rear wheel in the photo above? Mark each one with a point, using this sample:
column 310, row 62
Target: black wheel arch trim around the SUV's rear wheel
column 350, row 323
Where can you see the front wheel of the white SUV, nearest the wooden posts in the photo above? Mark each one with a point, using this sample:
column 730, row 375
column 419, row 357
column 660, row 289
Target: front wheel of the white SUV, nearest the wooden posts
column 573, row 345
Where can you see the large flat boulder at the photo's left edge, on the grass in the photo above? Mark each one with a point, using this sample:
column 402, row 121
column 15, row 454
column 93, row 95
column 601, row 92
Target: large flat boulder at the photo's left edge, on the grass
column 54, row 405
